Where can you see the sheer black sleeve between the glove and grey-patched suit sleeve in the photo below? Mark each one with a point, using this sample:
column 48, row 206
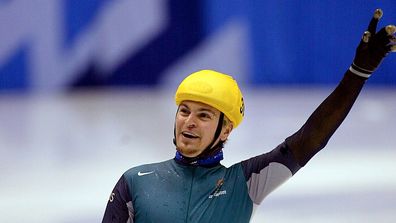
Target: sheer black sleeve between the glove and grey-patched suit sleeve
column 324, row 121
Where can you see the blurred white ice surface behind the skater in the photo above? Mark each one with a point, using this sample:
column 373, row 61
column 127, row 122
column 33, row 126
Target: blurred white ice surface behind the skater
column 61, row 155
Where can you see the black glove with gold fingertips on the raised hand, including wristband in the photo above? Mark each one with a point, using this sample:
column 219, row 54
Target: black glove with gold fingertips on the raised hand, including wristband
column 373, row 47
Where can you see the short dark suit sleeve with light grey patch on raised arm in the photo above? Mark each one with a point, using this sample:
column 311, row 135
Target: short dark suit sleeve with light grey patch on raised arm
column 264, row 173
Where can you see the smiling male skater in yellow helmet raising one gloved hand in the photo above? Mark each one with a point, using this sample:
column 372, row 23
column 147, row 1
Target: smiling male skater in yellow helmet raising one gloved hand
column 194, row 186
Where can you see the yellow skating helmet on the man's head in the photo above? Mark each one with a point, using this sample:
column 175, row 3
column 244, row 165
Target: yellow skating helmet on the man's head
column 218, row 90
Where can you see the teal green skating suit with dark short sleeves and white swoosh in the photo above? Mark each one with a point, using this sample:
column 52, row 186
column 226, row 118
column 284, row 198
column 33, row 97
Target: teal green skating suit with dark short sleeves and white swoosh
column 173, row 192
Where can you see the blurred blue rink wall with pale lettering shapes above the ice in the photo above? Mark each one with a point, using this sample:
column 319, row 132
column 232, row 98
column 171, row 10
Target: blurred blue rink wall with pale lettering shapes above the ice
column 66, row 44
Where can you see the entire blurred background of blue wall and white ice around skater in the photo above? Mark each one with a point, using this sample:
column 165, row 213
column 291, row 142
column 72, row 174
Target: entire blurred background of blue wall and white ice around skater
column 86, row 92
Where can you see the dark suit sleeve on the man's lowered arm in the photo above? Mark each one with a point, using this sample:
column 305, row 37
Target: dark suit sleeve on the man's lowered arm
column 119, row 208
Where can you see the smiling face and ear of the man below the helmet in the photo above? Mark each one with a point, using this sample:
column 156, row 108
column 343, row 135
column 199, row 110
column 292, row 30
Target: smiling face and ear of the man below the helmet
column 196, row 124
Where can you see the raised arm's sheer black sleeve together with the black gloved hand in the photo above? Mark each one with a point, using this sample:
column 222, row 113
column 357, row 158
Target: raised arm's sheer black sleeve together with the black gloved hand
column 324, row 121
